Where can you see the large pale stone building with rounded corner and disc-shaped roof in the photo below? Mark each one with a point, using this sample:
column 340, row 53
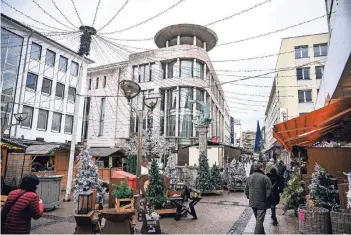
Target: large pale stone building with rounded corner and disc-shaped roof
column 179, row 71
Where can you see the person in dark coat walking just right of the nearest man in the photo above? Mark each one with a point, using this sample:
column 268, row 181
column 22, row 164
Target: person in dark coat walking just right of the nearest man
column 278, row 186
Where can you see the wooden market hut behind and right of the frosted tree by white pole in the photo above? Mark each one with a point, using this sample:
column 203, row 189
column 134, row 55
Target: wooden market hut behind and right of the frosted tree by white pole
column 108, row 160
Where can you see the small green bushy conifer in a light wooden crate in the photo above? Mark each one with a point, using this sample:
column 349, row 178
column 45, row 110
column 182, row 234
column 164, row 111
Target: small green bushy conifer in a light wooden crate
column 124, row 197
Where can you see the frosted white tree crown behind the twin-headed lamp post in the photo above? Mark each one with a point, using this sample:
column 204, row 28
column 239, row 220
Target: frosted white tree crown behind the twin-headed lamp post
column 153, row 145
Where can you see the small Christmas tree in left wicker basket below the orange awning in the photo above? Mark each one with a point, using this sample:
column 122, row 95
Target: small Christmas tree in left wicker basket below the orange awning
column 322, row 191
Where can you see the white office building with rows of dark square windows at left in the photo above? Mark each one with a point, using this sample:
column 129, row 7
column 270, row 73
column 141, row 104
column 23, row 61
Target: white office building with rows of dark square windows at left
column 40, row 78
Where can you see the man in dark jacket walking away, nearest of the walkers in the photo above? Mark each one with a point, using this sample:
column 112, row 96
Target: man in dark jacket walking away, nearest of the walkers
column 258, row 190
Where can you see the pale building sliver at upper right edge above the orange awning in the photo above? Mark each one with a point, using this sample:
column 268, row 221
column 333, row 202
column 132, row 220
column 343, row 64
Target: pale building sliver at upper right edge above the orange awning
column 336, row 82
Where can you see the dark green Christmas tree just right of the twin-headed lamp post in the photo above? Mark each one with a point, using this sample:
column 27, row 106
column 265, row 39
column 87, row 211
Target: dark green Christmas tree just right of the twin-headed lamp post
column 155, row 191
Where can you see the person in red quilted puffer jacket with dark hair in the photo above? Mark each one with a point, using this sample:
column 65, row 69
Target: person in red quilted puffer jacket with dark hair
column 21, row 206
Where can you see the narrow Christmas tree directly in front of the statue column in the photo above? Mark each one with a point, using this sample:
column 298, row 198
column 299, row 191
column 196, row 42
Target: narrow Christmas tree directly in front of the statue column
column 203, row 178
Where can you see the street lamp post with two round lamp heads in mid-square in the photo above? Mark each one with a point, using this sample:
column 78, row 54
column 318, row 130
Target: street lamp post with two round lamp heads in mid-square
column 130, row 90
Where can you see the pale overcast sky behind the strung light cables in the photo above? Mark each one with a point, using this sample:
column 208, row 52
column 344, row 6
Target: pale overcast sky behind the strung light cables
column 270, row 16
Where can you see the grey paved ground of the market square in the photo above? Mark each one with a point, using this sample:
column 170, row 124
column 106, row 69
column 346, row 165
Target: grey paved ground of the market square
column 216, row 214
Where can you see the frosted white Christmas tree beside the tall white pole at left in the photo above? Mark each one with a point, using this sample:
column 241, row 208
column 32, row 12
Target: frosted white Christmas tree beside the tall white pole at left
column 88, row 177
